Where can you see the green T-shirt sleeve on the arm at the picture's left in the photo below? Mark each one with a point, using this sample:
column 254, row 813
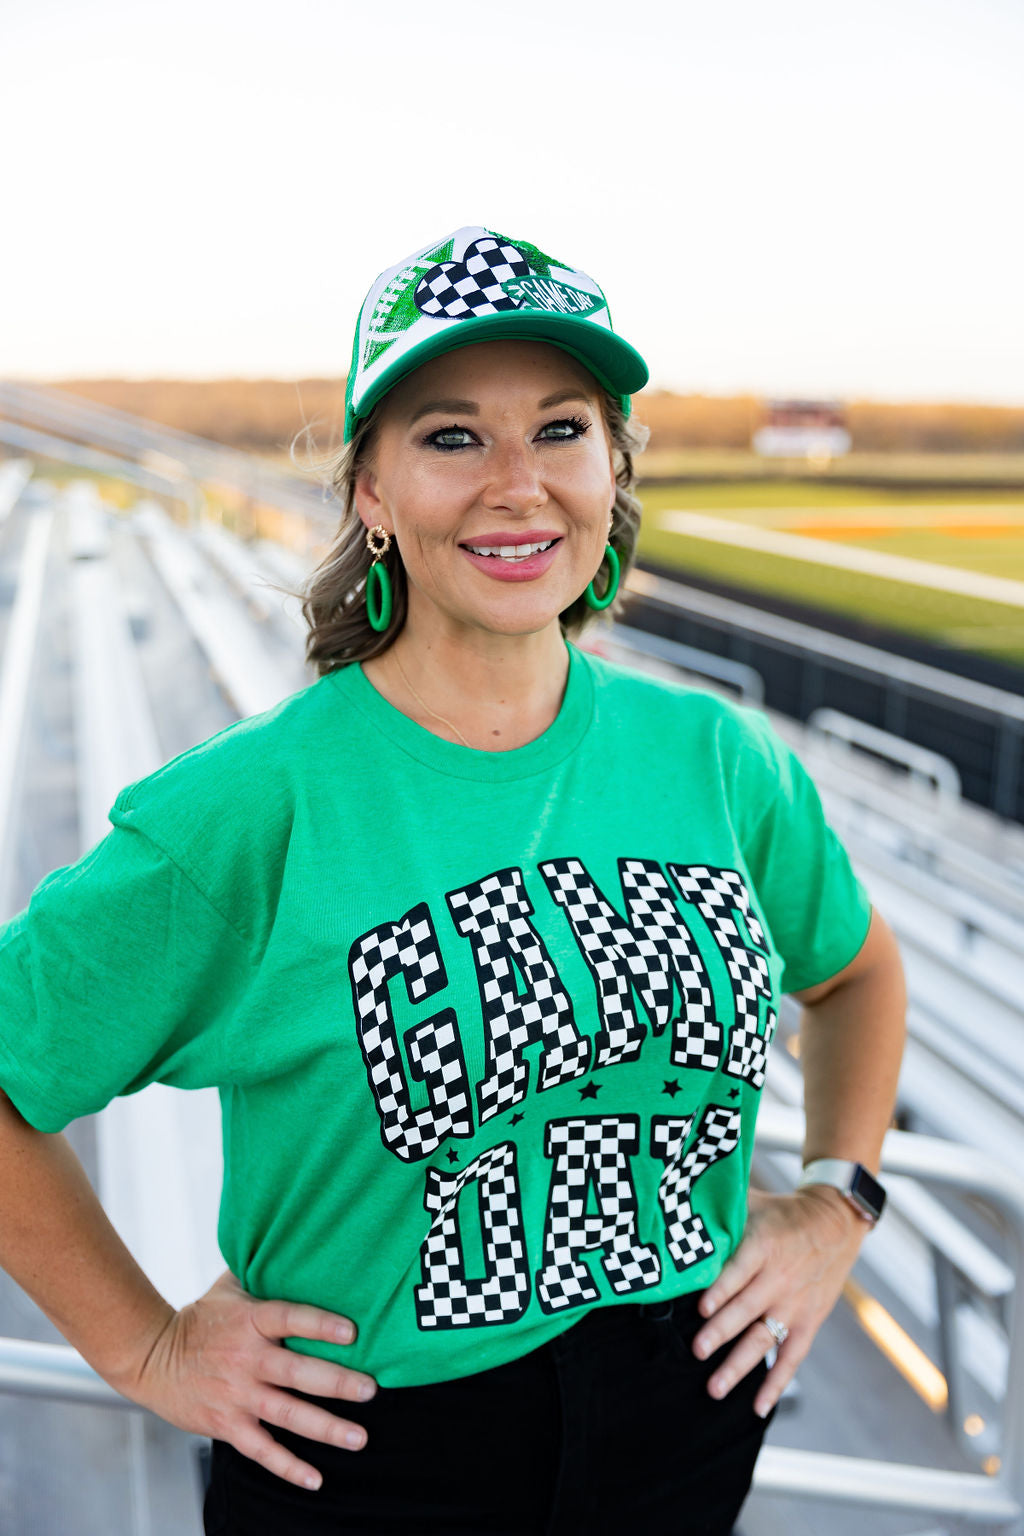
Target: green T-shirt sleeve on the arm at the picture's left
column 119, row 973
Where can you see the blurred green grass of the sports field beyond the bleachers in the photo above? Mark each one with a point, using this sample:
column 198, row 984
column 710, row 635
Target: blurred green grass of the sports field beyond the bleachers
column 971, row 624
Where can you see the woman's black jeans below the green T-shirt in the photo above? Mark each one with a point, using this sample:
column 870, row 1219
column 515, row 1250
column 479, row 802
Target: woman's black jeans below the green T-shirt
column 607, row 1429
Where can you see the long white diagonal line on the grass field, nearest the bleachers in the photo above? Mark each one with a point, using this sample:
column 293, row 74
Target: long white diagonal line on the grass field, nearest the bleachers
column 870, row 563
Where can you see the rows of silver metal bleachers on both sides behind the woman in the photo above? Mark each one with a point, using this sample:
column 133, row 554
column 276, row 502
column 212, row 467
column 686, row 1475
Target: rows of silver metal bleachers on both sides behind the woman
column 127, row 638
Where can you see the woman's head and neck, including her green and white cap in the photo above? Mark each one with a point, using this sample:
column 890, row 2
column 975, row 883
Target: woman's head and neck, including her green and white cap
column 491, row 439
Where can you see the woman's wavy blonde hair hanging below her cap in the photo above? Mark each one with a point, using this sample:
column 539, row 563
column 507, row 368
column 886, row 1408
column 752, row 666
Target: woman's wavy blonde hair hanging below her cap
column 334, row 597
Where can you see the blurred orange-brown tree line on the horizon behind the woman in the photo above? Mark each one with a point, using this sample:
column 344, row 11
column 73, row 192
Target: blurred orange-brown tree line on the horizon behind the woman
column 266, row 415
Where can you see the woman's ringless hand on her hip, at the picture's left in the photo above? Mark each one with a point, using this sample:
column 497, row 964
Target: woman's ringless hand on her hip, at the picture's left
column 219, row 1368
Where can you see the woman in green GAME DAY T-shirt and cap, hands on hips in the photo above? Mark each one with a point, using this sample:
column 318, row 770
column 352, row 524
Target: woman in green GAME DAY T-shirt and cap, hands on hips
column 481, row 941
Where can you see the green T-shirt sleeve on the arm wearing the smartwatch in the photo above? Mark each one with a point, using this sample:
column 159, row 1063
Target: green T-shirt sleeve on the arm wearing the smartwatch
column 816, row 907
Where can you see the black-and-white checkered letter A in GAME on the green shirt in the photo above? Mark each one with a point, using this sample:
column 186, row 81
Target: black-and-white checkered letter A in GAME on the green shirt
column 495, row 916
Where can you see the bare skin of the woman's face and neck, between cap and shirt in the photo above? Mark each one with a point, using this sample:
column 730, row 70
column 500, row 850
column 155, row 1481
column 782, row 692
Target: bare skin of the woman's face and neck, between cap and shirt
column 501, row 518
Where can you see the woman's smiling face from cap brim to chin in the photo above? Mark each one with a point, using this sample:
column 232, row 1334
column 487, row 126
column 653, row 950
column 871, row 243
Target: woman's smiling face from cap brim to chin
column 495, row 475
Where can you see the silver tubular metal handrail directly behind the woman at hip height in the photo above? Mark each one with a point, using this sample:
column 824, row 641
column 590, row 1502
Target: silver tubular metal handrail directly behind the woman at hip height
column 55, row 1371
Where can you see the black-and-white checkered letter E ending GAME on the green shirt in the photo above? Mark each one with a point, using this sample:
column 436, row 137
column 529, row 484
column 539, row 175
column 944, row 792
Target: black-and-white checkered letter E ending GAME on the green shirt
column 719, row 896
